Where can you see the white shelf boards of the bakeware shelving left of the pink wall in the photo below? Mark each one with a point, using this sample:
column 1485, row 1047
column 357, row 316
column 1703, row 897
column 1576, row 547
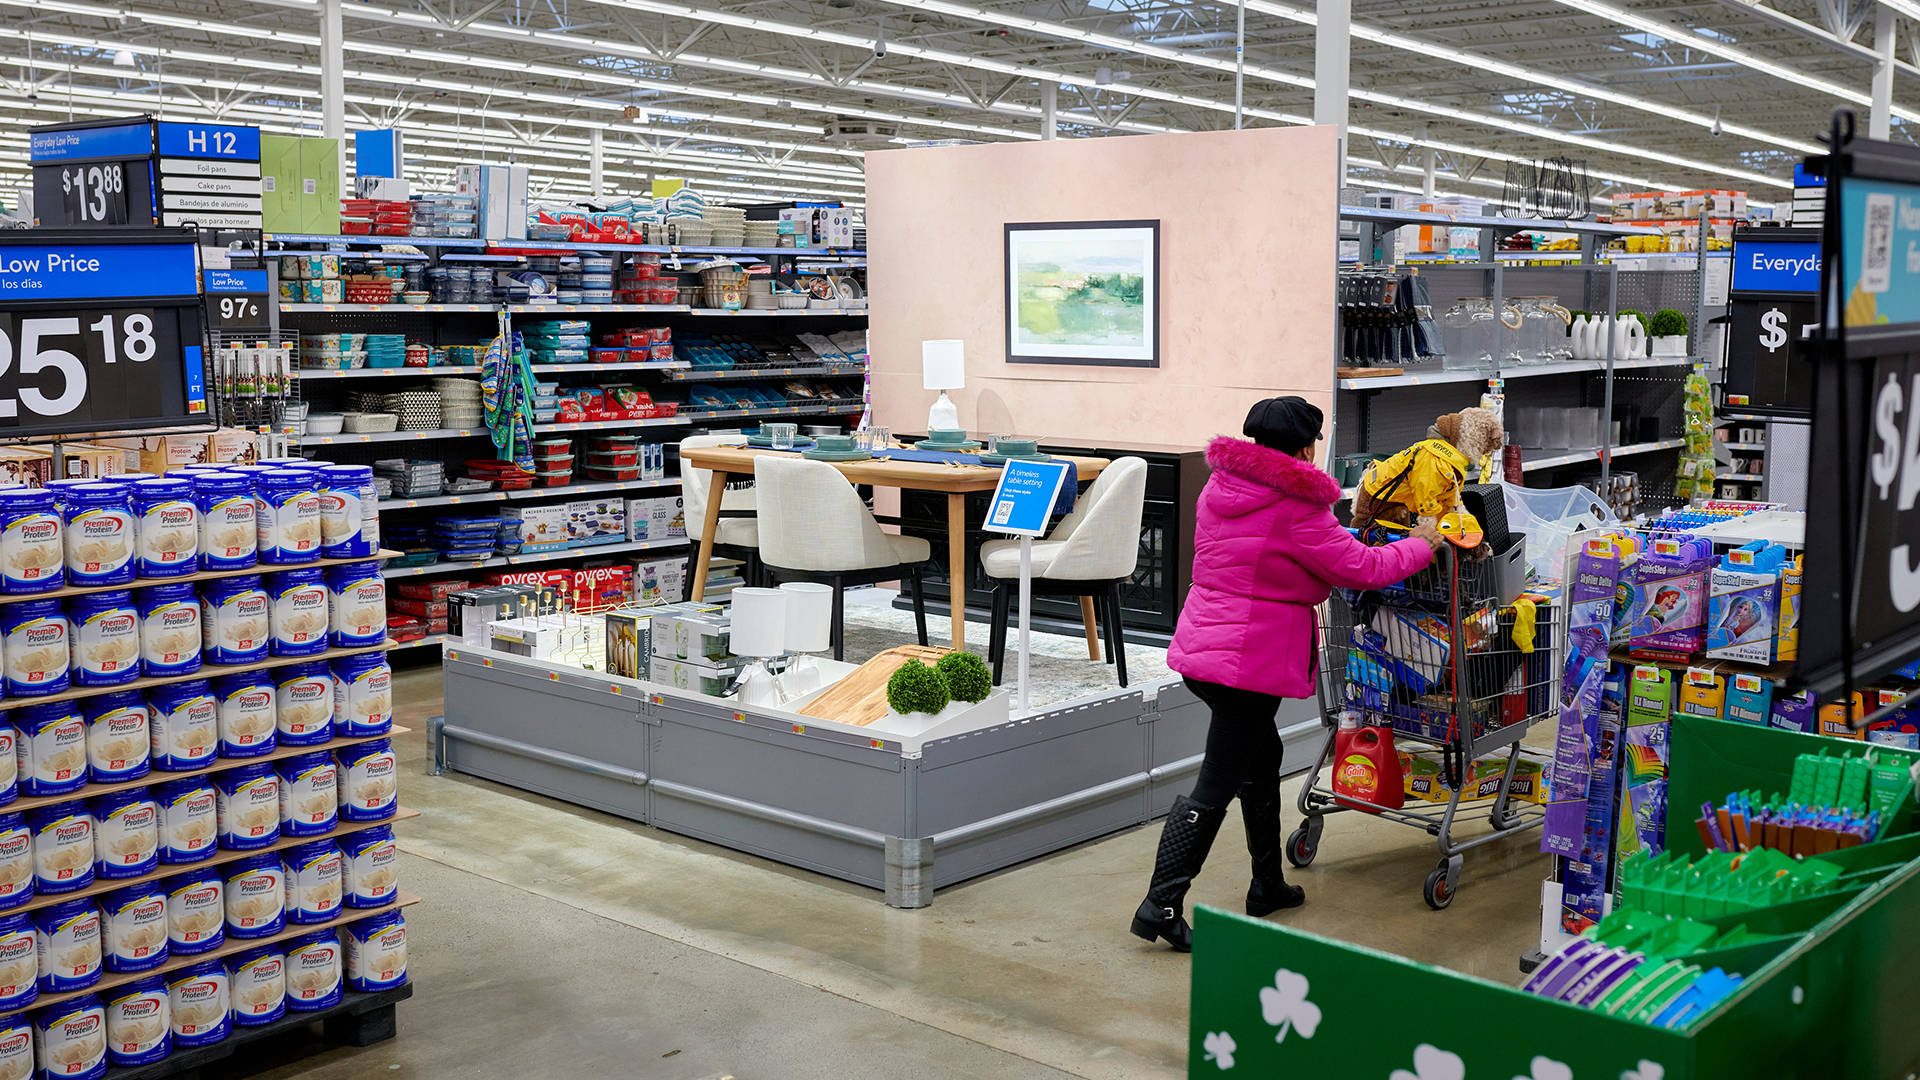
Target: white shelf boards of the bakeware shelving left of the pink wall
column 468, row 322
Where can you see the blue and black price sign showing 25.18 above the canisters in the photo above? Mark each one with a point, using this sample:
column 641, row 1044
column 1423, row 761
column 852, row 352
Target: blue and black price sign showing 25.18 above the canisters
column 99, row 331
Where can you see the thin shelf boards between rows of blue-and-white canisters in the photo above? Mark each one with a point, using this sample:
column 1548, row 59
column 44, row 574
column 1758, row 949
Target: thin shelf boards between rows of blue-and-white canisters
column 364, row 1002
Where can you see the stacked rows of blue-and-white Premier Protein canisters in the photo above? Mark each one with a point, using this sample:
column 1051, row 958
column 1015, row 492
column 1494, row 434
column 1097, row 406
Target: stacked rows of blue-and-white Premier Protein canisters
column 199, row 768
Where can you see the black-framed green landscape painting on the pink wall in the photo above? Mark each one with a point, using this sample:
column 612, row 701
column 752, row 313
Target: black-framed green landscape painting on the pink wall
column 1084, row 293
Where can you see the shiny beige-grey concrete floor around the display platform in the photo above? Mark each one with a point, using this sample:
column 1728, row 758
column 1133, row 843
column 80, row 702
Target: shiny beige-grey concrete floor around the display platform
column 565, row 943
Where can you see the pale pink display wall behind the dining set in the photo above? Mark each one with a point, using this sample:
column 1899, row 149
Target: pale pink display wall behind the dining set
column 1247, row 255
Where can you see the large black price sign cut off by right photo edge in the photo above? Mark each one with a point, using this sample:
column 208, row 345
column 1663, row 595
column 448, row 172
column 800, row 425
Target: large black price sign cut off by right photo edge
column 1861, row 610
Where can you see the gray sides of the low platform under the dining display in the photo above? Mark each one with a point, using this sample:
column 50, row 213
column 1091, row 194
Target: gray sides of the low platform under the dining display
column 898, row 816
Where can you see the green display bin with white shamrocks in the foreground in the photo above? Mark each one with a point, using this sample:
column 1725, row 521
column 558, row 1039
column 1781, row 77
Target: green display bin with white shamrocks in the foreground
column 1829, row 998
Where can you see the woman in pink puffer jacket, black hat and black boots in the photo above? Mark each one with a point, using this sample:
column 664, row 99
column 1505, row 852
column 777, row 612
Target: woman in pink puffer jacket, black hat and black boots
column 1266, row 552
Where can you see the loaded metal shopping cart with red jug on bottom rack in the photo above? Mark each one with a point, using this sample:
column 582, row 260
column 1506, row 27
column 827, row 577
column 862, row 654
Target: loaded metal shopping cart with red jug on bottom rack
column 1437, row 660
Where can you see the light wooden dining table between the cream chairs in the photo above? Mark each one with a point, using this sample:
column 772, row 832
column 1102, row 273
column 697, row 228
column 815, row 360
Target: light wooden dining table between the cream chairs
column 955, row 479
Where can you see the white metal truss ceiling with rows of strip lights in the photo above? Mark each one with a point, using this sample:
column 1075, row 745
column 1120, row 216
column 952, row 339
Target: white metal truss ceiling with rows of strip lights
column 738, row 95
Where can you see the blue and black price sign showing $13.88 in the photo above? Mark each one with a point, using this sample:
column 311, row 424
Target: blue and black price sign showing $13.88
column 93, row 174
